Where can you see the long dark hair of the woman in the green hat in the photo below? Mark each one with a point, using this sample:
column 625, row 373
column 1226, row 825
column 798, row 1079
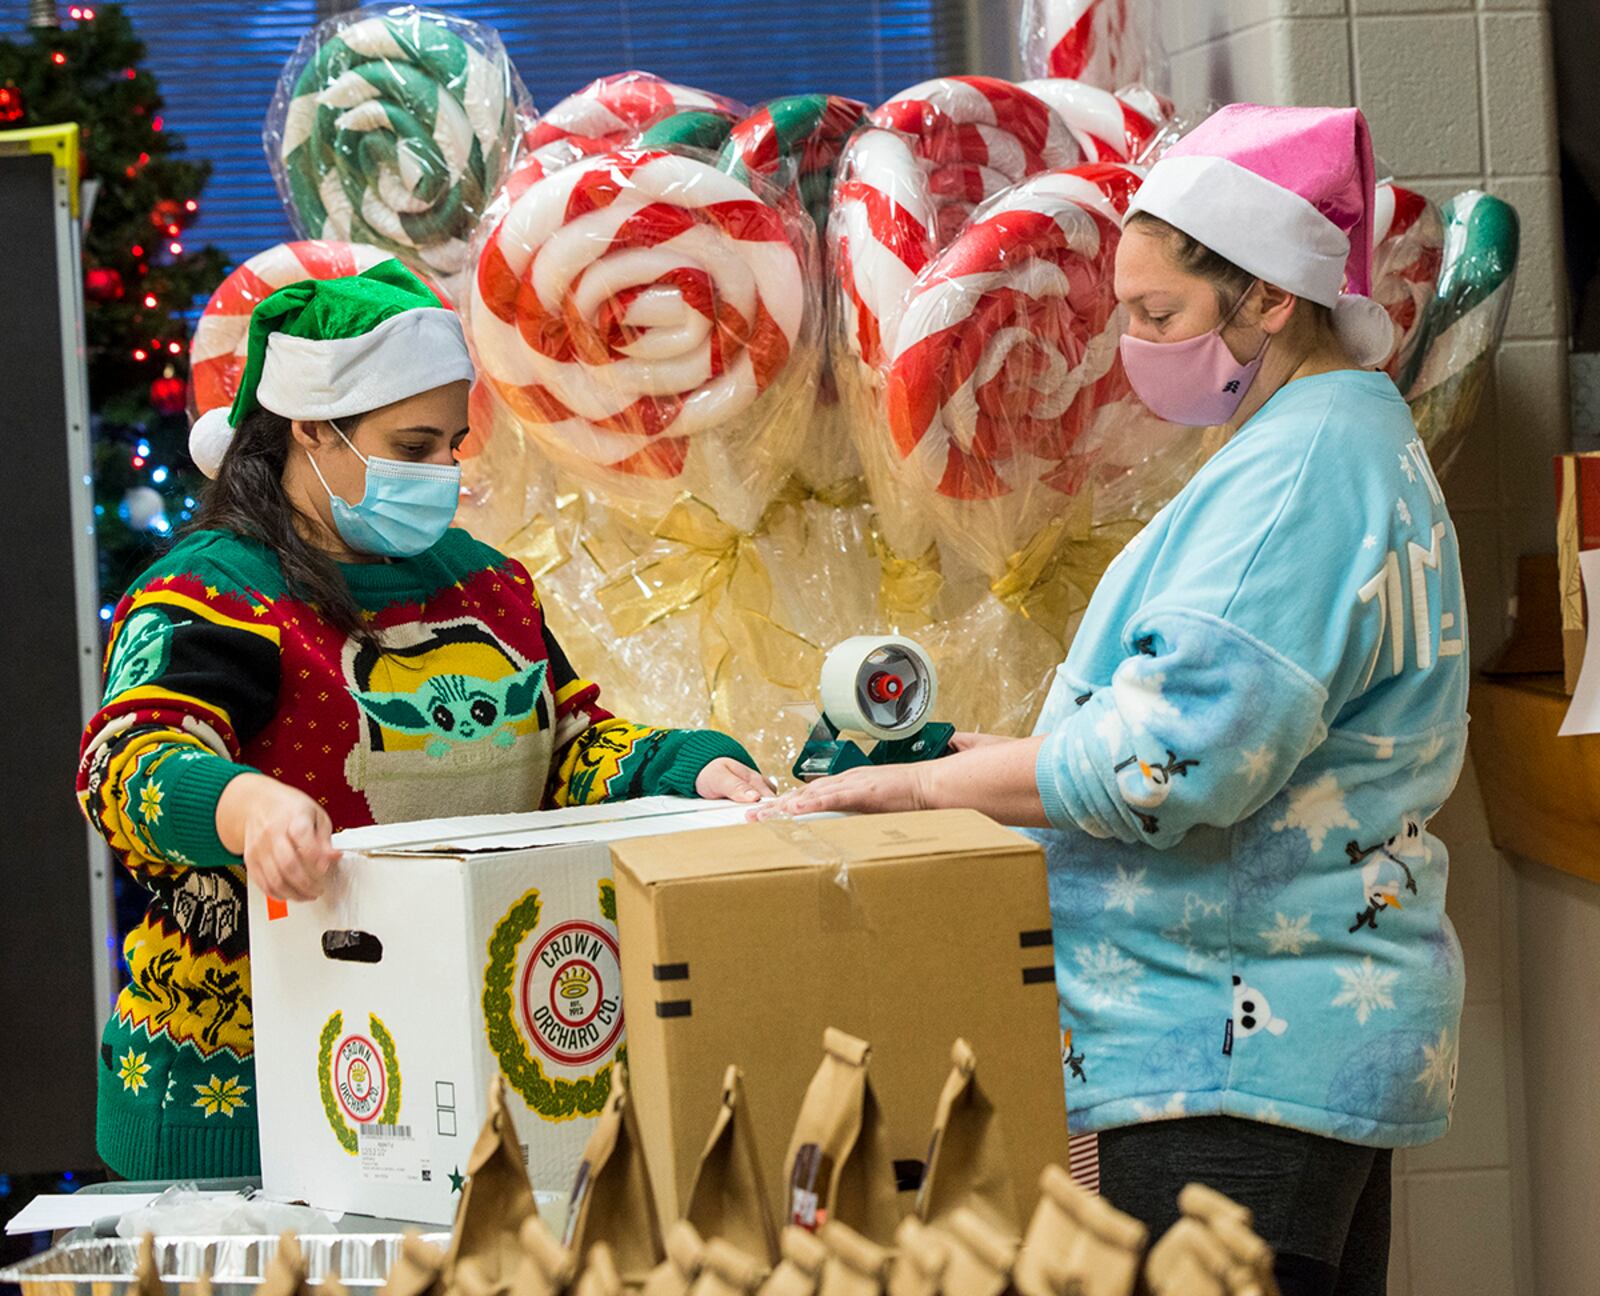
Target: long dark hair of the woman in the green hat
column 249, row 500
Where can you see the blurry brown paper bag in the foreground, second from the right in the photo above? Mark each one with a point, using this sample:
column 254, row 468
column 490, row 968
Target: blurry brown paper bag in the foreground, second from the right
column 1078, row 1239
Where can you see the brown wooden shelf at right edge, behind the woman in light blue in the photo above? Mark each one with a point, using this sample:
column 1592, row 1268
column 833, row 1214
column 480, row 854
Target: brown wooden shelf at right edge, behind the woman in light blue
column 1542, row 793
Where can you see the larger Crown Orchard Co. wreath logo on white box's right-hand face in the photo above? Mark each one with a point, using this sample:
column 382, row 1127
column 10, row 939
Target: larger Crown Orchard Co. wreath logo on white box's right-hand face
column 567, row 1006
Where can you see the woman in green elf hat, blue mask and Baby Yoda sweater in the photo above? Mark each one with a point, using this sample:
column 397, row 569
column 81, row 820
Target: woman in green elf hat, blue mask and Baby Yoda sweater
column 322, row 652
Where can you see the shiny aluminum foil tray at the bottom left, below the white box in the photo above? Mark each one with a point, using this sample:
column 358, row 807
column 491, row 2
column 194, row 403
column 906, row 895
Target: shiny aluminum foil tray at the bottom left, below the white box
column 238, row 1265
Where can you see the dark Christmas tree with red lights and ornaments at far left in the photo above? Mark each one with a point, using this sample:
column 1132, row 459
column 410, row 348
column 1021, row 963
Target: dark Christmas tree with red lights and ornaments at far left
column 140, row 279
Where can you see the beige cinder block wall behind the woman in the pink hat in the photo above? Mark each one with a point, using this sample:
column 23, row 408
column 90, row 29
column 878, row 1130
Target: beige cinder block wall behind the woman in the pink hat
column 1460, row 95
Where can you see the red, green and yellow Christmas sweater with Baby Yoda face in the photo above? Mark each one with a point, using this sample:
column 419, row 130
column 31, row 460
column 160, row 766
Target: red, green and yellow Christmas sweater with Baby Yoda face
column 214, row 671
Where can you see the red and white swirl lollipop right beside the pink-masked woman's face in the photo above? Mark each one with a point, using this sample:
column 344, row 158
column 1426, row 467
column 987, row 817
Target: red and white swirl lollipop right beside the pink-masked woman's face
column 1004, row 358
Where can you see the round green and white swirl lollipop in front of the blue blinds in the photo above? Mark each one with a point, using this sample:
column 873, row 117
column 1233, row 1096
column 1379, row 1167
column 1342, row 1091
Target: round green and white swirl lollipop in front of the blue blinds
column 394, row 129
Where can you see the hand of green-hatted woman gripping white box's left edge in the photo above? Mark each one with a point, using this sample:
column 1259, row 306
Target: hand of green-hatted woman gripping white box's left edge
column 284, row 836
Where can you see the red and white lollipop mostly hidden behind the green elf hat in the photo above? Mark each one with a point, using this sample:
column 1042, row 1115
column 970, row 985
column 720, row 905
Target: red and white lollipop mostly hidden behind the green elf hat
column 217, row 351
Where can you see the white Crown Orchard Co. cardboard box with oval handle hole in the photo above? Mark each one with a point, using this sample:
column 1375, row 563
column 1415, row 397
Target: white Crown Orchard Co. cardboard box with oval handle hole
column 446, row 951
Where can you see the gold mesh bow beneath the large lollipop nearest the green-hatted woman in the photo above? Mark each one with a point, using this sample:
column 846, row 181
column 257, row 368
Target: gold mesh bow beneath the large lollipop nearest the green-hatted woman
column 703, row 559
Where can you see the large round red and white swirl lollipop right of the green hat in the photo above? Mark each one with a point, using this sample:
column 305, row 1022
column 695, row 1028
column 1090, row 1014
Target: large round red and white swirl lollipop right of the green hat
column 650, row 322
